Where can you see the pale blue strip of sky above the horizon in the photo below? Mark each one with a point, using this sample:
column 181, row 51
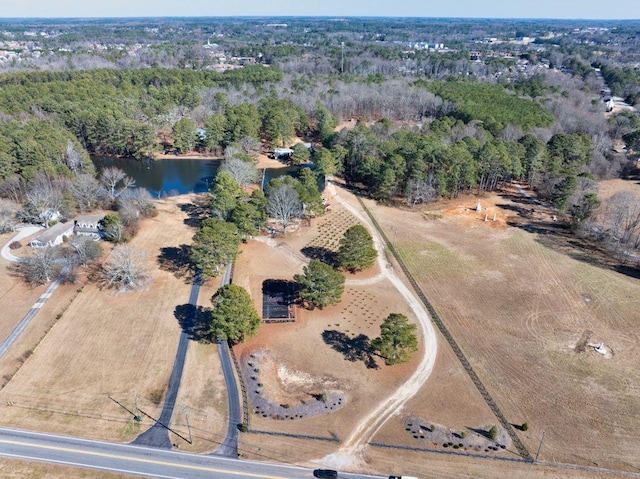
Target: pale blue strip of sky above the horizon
column 586, row 9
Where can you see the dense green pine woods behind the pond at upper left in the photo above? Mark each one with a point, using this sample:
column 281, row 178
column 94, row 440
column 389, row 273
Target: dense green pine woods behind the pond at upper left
column 114, row 112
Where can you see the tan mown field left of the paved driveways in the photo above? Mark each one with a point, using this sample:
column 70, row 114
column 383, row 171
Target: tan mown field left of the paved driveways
column 106, row 345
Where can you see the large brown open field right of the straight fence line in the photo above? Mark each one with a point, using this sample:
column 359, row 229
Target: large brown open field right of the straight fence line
column 525, row 313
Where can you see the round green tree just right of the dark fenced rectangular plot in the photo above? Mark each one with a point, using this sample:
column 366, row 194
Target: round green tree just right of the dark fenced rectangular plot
column 320, row 285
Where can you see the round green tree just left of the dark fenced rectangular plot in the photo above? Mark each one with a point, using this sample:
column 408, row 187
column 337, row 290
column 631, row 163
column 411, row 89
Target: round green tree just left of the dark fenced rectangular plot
column 234, row 317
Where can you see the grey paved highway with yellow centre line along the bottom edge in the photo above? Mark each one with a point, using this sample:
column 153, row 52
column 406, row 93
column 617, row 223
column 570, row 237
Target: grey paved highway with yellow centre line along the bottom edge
column 140, row 461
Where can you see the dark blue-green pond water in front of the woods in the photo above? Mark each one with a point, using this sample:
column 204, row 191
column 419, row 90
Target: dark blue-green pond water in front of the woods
column 175, row 176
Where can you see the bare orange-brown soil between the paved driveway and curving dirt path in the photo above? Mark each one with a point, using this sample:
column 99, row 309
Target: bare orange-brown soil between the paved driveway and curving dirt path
column 324, row 350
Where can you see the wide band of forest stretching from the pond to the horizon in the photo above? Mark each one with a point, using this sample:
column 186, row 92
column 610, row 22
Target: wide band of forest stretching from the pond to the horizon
column 433, row 120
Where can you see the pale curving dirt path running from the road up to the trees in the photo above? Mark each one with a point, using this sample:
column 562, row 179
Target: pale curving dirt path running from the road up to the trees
column 351, row 453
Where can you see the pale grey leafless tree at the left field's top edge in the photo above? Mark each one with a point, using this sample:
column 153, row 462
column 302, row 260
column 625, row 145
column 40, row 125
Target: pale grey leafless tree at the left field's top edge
column 126, row 269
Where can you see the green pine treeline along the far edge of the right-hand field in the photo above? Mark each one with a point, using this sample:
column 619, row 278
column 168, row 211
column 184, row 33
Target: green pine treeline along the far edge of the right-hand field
column 451, row 158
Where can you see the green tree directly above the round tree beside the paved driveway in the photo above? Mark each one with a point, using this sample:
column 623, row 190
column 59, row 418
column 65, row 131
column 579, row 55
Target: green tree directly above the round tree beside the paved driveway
column 214, row 245
